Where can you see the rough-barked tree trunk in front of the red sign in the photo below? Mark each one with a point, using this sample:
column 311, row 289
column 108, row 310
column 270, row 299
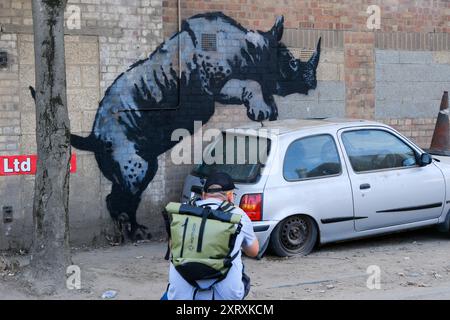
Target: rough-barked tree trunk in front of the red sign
column 51, row 251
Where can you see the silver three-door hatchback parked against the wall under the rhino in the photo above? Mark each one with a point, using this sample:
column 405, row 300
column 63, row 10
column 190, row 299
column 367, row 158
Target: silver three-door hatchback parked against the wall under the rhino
column 332, row 179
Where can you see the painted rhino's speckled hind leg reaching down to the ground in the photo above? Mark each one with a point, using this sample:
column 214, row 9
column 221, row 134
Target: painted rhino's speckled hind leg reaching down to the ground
column 132, row 174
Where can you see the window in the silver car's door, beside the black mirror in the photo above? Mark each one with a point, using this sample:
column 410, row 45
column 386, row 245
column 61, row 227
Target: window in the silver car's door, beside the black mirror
column 372, row 149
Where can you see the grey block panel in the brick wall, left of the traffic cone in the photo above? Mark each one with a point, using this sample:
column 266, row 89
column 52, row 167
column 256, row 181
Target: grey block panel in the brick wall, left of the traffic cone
column 409, row 84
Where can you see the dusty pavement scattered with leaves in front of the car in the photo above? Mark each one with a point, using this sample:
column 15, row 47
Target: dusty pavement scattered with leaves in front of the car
column 414, row 265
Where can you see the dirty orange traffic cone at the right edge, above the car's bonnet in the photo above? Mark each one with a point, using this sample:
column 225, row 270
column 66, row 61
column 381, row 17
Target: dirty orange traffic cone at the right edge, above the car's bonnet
column 441, row 135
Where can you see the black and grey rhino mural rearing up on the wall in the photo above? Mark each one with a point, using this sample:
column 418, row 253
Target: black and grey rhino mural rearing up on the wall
column 221, row 61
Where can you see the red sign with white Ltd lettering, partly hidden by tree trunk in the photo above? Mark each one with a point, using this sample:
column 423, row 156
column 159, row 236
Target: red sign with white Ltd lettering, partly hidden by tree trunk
column 25, row 164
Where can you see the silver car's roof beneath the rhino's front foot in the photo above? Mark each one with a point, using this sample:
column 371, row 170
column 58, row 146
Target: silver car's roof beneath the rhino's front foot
column 290, row 125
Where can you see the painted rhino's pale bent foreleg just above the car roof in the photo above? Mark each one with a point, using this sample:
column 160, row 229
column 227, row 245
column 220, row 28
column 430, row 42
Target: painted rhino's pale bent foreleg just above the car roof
column 260, row 106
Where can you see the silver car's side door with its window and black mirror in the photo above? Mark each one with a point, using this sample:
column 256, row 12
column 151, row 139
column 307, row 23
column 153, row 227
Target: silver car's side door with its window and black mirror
column 389, row 187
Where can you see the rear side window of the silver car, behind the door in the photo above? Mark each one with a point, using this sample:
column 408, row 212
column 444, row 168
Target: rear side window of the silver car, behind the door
column 311, row 157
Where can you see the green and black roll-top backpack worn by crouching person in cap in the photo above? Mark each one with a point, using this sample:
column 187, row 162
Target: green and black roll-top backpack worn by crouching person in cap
column 202, row 240
